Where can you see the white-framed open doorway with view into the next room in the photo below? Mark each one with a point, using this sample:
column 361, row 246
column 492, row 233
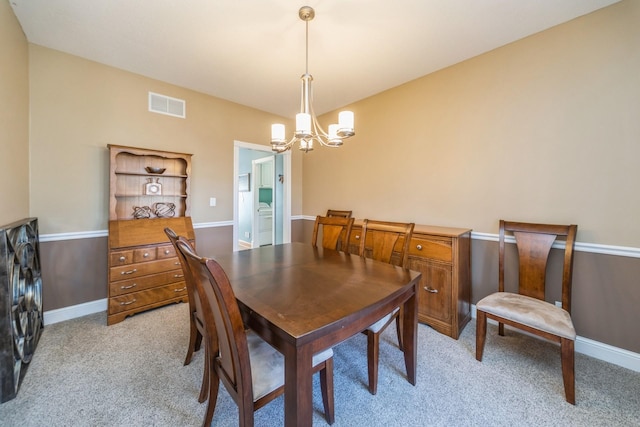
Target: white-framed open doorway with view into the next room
column 262, row 196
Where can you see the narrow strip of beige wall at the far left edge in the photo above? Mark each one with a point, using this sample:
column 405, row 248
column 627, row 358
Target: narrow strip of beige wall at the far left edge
column 14, row 118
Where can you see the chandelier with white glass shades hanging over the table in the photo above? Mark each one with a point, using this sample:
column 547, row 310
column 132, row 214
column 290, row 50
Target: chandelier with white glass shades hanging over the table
column 308, row 129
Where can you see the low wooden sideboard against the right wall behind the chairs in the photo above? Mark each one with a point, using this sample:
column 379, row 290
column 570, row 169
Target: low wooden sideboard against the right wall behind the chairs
column 443, row 256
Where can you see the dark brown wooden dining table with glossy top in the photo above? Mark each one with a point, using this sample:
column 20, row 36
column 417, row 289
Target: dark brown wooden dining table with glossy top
column 303, row 300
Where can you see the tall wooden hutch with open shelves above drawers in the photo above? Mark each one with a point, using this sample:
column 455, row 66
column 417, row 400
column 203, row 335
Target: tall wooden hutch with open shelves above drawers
column 144, row 270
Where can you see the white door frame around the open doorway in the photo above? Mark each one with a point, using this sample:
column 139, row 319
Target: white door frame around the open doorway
column 286, row 203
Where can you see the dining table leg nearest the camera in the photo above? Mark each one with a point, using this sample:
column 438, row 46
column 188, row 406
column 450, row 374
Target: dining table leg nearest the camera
column 298, row 387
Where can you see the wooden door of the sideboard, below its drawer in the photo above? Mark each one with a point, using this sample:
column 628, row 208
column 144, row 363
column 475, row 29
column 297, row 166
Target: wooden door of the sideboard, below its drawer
column 434, row 297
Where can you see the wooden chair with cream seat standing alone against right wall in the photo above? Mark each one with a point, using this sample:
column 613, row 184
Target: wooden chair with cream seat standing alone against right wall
column 526, row 308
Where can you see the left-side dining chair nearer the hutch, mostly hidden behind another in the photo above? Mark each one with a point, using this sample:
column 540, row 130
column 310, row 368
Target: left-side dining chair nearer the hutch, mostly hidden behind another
column 196, row 319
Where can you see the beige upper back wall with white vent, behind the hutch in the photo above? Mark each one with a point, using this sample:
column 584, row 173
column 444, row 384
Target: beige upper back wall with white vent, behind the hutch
column 79, row 106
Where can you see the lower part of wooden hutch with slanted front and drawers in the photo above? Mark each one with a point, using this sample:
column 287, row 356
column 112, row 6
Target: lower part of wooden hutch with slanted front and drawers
column 144, row 270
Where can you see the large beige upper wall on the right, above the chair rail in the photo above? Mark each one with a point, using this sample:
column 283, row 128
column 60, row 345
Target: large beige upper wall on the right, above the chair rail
column 545, row 129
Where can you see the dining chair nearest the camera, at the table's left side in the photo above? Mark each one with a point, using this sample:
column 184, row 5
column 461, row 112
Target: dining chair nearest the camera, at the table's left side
column 251, row 370
